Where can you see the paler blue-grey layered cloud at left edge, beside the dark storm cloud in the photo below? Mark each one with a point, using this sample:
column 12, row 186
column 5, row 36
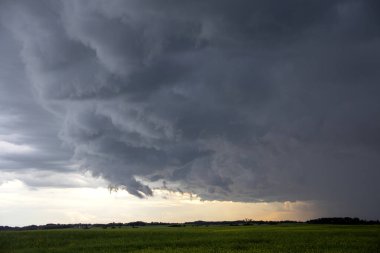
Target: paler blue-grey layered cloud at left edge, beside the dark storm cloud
column 28, row 135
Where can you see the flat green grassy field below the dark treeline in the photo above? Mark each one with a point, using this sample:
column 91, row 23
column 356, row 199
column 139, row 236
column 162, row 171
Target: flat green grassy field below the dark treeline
column 276, row 238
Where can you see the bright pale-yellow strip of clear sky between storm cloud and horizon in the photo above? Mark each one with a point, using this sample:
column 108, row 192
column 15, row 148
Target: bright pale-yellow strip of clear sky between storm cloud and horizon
column 24, row 205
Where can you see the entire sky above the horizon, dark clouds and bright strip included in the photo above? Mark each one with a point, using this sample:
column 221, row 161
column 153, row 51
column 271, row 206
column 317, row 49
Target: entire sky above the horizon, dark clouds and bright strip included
column 213, row 110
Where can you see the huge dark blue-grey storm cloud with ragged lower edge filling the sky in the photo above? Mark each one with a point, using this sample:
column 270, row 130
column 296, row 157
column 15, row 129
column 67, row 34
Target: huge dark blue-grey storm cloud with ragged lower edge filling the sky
column 234, row 100
